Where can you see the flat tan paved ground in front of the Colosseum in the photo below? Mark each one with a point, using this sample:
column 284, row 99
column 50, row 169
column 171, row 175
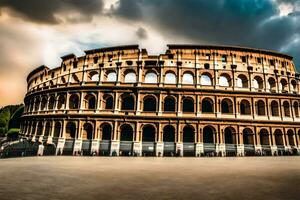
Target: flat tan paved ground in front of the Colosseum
column 149, row 178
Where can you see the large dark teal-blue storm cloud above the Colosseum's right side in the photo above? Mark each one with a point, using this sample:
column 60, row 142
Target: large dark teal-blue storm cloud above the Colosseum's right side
column 254, row 23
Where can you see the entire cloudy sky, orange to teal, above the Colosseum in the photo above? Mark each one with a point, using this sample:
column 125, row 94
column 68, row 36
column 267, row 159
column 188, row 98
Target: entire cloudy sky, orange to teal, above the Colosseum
column 37, row 32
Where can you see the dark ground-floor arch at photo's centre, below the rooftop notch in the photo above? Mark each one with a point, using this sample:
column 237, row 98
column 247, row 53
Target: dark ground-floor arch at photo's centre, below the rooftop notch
column 148, row 140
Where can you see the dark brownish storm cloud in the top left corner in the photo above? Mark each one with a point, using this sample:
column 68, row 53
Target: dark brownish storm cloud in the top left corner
column 46, row 11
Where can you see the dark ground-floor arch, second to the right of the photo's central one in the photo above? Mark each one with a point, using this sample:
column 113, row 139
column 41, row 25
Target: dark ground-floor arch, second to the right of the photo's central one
column 188, row 139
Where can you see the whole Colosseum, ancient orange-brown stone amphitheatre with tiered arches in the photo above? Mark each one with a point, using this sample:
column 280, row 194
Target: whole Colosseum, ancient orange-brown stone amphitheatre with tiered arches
column 192, row 100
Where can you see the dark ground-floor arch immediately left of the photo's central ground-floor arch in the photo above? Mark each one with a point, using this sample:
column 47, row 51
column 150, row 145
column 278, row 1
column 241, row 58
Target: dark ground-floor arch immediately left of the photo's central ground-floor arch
column 126, row 139
